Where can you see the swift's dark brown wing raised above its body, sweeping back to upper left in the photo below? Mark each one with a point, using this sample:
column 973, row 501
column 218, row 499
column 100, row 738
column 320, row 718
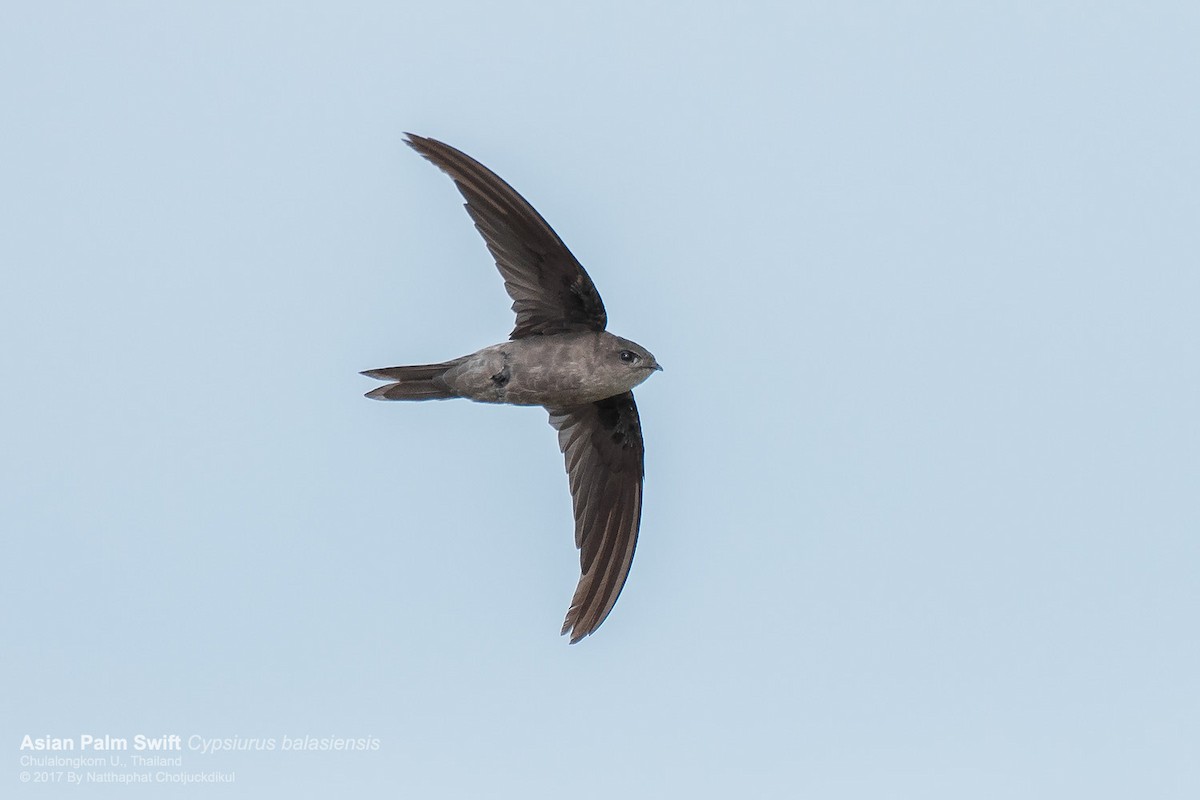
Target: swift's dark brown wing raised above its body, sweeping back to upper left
column 550, row 291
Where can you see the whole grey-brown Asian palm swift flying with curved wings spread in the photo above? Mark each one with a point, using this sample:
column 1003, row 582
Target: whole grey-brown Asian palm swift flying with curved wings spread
column 559, row 357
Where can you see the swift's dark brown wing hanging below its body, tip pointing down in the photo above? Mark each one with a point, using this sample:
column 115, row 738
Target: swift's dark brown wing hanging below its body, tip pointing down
column 603, row 446
